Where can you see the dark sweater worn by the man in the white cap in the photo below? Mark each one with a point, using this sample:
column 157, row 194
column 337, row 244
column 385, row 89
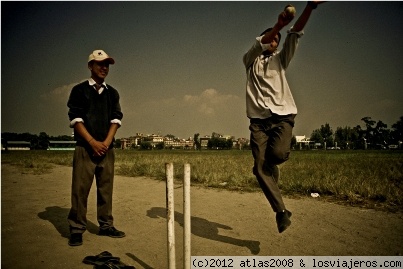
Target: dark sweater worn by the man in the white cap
column 97, row 110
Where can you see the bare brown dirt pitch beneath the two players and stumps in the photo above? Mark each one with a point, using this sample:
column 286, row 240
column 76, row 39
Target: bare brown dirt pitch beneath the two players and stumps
column 35, row 233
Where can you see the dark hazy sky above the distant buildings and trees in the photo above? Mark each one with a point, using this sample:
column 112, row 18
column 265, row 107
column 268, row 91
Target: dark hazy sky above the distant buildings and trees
column 179, row 64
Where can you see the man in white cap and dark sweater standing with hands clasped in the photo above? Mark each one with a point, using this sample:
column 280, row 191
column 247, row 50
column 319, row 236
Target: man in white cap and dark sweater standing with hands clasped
column 95, row 115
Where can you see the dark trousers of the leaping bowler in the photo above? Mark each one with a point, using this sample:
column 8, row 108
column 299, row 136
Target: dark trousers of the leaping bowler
column 270, row 140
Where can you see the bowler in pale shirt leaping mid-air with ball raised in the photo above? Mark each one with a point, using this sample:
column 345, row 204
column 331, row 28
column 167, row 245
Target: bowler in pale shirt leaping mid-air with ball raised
column 271, row 107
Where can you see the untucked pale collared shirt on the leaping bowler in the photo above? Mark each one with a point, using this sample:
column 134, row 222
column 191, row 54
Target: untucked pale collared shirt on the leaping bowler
column 267, row 90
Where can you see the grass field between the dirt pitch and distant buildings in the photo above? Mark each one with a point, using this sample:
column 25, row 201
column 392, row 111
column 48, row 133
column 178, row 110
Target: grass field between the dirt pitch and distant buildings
column 372, row 179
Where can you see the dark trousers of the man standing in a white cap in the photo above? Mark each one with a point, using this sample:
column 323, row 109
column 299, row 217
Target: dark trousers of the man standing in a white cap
column 85, row 167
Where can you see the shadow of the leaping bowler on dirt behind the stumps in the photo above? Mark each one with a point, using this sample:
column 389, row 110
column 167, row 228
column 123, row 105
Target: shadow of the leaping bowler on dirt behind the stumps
column 207, row 229
